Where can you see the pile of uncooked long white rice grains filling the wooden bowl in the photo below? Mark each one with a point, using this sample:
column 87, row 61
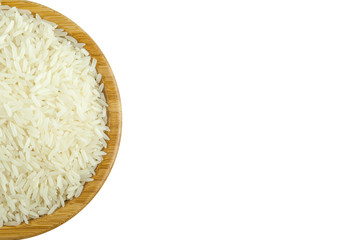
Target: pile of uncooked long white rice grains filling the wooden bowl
column 52, row 117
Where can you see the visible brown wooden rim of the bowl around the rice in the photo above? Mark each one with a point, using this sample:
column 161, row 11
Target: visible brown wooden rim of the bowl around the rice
column 60, row 216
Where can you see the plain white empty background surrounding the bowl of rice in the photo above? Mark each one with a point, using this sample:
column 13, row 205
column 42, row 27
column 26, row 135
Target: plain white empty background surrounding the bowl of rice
column 241, row 120
